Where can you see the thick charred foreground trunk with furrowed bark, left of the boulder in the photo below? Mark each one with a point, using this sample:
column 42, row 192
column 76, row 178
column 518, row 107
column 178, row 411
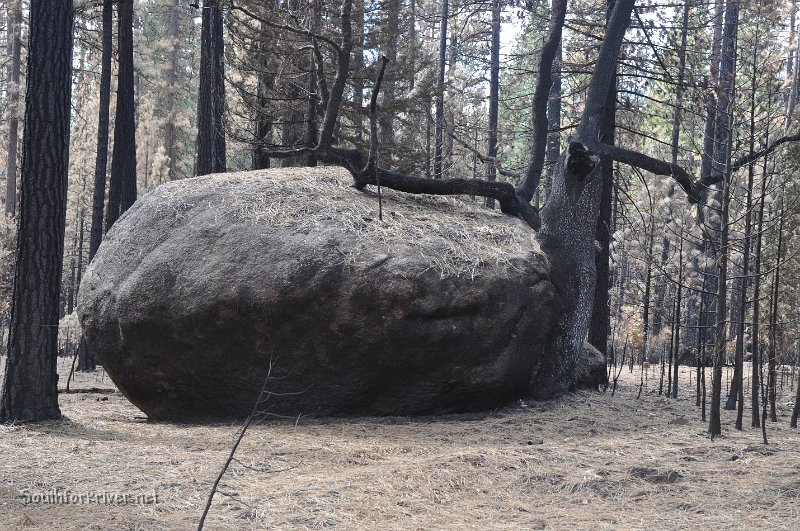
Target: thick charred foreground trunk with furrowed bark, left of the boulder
column 30, row 390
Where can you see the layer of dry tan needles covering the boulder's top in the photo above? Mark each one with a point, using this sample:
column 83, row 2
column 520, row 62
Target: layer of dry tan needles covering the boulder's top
column 455, row 235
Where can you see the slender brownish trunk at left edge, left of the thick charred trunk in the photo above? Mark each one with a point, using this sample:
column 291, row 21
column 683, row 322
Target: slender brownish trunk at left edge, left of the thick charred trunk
column 14, row 43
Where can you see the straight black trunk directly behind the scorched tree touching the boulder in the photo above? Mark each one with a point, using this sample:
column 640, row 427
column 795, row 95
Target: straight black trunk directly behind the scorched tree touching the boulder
column 601, row 317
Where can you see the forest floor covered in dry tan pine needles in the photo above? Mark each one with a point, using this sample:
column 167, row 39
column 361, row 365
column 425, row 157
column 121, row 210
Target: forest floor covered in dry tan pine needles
column 586, row 461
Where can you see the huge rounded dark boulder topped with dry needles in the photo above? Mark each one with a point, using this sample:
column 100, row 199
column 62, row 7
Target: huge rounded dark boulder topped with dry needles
column 206, row 283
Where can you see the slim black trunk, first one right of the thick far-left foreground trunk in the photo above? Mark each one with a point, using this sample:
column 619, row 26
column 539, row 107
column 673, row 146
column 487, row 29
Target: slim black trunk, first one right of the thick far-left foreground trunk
column 101, row 159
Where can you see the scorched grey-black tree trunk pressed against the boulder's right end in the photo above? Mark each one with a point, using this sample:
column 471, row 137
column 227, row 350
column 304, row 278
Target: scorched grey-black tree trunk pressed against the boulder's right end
column 569, row 221
